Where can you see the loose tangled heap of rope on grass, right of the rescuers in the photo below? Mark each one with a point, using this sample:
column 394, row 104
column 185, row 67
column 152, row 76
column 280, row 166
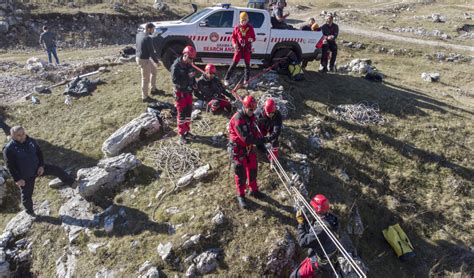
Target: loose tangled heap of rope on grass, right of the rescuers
column 362, row 113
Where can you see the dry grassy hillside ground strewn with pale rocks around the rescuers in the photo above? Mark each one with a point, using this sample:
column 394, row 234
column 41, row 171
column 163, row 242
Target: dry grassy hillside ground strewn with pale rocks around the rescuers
column 391, row 132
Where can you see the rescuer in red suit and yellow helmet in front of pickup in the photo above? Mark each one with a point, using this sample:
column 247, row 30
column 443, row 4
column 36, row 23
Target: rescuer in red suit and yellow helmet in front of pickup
column 242, row 38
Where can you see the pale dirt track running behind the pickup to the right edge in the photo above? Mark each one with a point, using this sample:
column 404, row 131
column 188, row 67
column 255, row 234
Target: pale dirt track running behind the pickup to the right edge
column 369, row 33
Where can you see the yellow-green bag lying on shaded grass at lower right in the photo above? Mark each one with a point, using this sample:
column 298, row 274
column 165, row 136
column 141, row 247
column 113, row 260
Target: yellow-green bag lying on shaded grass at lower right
column 399, row 242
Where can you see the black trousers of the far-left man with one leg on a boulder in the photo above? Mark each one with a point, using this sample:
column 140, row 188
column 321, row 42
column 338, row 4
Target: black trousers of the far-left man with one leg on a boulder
column 49, row 170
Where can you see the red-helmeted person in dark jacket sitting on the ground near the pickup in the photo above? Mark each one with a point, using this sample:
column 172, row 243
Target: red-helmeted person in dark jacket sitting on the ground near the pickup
column 211, row 91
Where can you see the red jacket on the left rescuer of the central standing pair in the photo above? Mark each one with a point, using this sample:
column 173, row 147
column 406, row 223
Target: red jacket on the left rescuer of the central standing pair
column 243, row 131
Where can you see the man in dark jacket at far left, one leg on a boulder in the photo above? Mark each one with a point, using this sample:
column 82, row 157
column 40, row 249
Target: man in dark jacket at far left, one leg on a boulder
column 25, row 162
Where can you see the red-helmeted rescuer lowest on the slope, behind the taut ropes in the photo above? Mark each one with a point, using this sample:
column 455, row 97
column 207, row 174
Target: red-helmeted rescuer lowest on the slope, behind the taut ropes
column 316, row 260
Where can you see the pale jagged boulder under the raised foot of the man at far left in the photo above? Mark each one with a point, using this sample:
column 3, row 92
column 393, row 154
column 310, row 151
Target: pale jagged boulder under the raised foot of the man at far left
column 108, row 173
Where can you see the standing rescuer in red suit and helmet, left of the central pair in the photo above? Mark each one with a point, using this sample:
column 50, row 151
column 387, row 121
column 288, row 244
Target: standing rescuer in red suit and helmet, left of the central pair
column 243, row 136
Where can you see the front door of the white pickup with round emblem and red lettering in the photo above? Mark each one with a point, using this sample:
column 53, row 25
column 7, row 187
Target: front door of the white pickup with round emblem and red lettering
column 214, row 34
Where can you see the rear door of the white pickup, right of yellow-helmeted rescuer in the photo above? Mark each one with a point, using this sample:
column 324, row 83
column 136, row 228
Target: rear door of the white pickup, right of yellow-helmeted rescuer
column 262, row 33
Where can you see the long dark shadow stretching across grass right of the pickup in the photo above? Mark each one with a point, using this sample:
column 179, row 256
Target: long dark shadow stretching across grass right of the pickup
column 335, row 89
